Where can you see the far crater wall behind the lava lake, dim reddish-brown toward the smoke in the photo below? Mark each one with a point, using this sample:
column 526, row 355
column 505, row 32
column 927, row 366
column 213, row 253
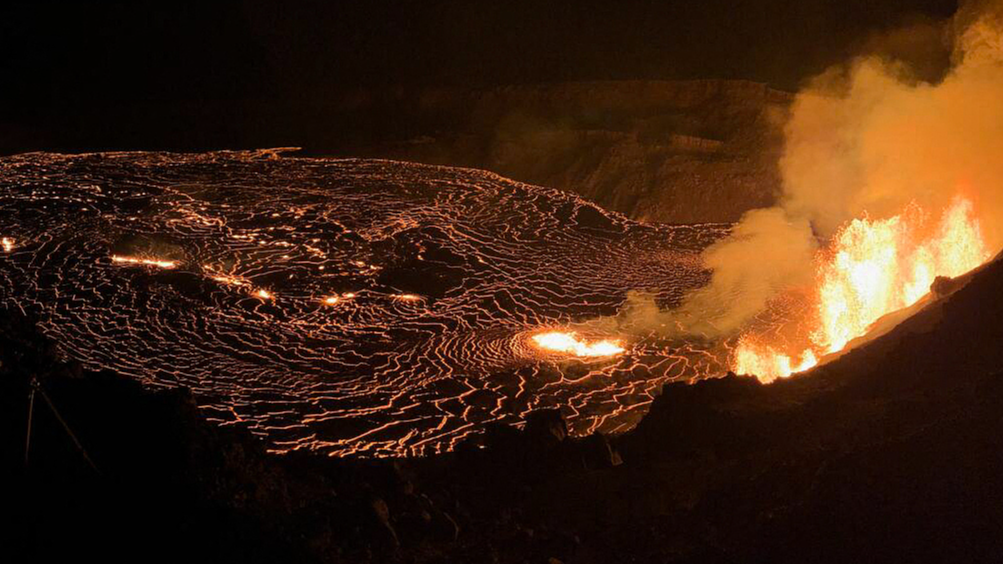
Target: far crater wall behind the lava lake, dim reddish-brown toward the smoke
column 676, row 152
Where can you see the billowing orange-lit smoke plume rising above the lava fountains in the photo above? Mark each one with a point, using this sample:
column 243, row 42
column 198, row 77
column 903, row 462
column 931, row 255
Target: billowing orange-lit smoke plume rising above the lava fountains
column 867, row 138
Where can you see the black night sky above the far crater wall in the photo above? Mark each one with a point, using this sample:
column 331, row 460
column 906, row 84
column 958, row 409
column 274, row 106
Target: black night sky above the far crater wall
column 60, row 58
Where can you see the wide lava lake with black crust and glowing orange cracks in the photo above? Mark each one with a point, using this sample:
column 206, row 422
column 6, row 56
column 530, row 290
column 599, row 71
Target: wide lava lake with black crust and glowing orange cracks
column 346, row 307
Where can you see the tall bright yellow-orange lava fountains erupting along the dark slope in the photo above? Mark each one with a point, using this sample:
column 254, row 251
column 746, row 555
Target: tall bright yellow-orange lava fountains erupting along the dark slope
column 874, row 267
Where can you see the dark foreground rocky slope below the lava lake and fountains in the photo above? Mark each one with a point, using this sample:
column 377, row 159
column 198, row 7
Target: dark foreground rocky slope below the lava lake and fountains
column 893, row 453
